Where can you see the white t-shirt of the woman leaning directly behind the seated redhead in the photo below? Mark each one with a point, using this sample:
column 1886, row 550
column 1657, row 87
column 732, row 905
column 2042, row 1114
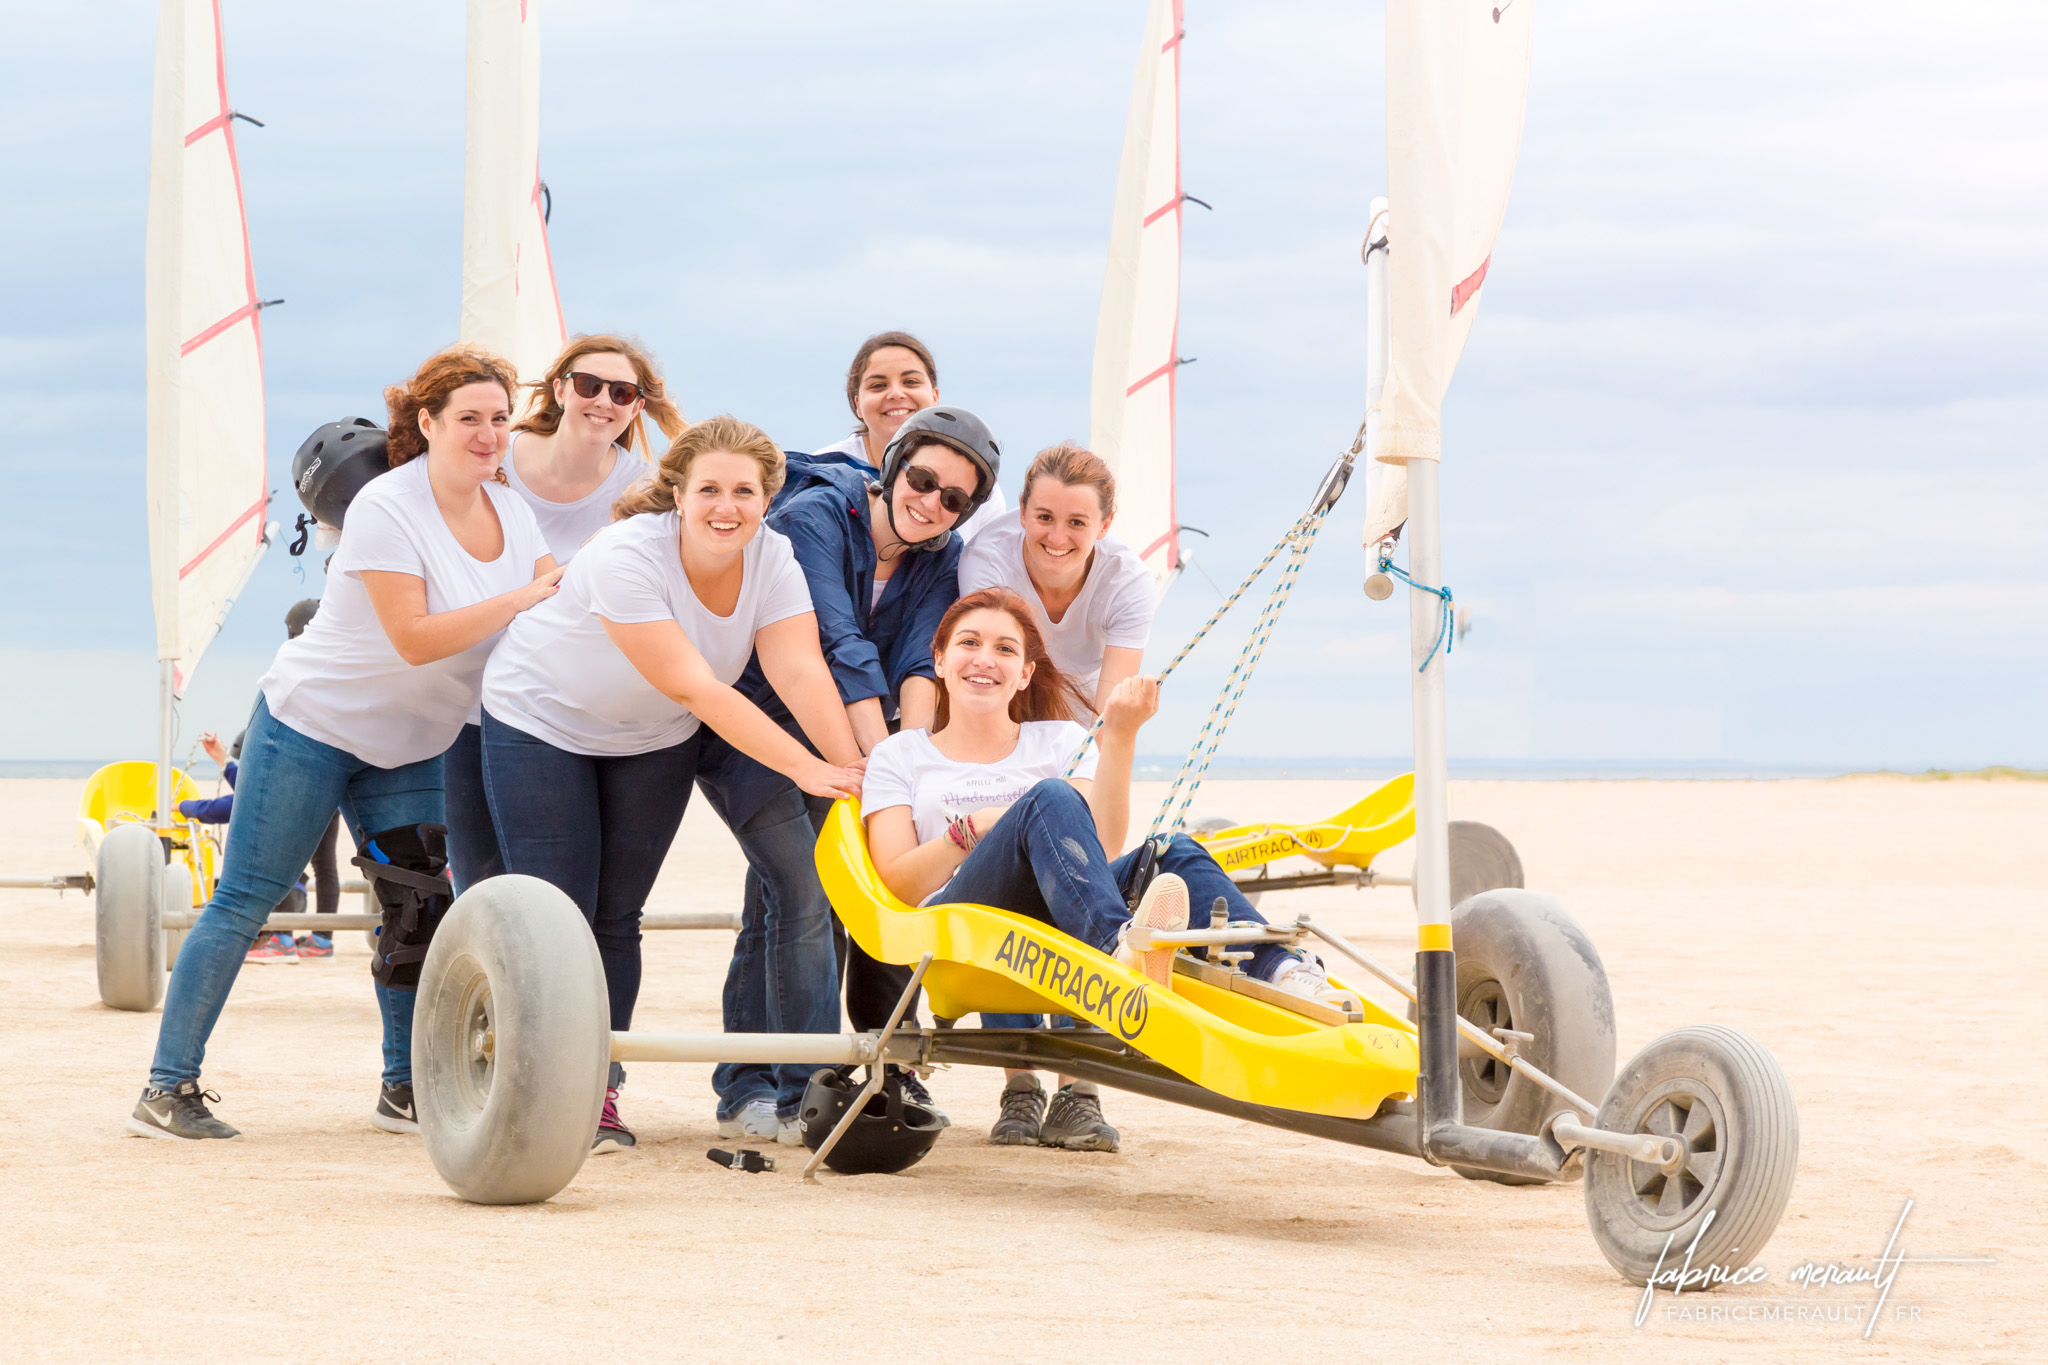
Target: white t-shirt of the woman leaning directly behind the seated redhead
column 1115, row 607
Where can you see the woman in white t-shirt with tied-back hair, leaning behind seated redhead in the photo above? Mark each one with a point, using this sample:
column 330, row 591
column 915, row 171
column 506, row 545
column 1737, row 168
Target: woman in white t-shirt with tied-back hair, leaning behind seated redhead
column 1093, row 603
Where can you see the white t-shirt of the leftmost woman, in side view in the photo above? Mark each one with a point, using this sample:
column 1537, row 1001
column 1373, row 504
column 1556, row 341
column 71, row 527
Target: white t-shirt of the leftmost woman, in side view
column 343, row 682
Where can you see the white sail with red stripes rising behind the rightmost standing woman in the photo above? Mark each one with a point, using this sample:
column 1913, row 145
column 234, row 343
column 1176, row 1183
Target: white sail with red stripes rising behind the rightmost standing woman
column 1138, row 333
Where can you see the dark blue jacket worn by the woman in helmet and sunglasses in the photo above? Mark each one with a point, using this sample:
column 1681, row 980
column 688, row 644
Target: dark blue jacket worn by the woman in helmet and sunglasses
column 824, row 513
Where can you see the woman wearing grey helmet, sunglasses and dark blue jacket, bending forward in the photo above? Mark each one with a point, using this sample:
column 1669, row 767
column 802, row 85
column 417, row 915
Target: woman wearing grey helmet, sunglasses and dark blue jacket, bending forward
column 884, row 562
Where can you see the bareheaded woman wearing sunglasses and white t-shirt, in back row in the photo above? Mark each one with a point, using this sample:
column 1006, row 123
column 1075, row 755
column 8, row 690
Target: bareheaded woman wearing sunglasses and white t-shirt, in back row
column 570, row 459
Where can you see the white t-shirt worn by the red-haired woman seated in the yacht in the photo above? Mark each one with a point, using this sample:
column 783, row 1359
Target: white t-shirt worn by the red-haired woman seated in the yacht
column 908, row 770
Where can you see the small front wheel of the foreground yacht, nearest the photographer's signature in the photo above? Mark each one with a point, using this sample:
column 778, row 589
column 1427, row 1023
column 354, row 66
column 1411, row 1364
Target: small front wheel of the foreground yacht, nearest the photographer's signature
column 1725, row 1098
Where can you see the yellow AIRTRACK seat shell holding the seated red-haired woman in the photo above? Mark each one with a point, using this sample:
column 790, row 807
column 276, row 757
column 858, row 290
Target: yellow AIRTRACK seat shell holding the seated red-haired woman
column 988, row 961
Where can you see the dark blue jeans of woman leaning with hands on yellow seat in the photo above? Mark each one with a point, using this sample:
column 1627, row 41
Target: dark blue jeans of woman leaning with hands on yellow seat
column 597, row 828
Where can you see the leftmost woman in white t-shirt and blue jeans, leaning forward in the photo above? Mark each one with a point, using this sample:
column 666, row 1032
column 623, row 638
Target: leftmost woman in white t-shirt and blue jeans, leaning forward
column 435, row 560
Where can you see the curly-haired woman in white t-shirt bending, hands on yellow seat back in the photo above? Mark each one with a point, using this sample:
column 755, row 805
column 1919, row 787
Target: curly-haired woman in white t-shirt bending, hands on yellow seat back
column 597, row 711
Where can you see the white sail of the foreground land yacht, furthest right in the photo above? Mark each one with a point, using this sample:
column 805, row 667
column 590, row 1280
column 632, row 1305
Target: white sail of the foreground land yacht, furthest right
column 1457, row 83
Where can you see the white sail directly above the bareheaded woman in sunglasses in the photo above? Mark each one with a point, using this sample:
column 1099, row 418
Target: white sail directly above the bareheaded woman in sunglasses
column 509, row 279
